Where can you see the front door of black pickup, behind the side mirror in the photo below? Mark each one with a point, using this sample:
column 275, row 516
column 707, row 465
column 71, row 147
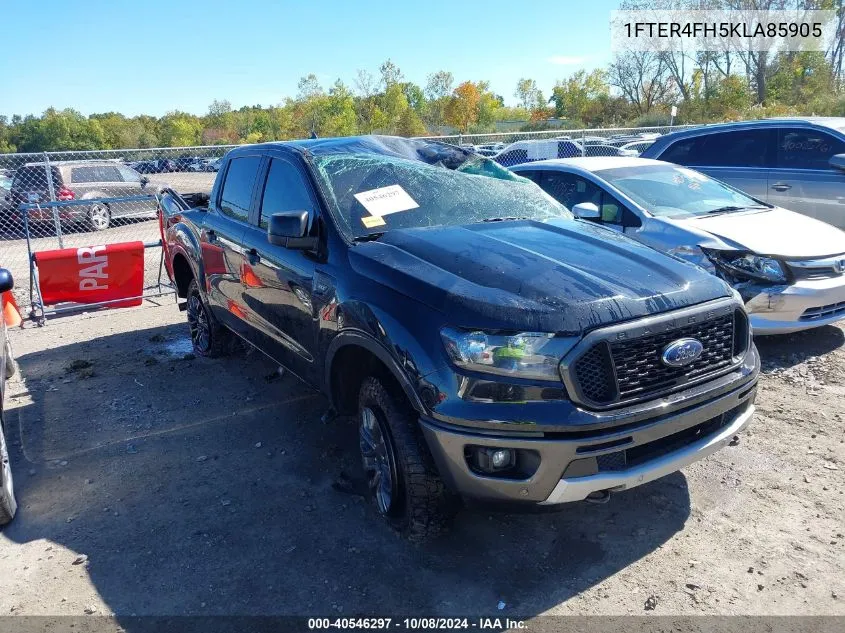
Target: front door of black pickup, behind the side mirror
column 278, row 281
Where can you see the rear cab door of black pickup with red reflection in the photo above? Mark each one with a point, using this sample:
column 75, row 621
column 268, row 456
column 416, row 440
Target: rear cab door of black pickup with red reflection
column 221, row 240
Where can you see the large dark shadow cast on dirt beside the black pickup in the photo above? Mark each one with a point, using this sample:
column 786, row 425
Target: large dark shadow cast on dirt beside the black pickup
column 205, row 487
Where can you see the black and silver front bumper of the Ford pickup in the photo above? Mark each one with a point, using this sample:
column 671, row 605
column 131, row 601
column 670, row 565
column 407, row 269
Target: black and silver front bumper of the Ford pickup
column 573, row 465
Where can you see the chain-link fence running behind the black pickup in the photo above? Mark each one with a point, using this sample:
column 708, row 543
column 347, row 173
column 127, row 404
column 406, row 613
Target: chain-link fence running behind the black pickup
column 88, row 198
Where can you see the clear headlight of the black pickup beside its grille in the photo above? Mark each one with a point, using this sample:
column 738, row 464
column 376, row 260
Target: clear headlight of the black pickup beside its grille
column 525, row 355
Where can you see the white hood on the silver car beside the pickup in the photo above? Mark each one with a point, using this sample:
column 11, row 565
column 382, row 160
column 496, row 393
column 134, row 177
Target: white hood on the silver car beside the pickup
column 772, row 232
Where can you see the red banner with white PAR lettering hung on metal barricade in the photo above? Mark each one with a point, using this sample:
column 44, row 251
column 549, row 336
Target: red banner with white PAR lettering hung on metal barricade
column 92, row 274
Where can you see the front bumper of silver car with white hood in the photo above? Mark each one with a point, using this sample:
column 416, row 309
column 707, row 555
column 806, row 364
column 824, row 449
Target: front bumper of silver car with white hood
column 803, row 305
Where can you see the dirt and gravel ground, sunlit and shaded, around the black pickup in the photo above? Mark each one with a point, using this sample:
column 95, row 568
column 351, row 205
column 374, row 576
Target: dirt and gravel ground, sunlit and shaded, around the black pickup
column 152, row 482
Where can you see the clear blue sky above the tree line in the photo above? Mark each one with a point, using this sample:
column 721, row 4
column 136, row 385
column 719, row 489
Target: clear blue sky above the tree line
column 153, row 56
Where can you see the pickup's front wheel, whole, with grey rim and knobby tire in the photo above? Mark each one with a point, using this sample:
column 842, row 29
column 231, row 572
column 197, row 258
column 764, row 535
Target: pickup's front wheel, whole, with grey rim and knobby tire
column 401, row 476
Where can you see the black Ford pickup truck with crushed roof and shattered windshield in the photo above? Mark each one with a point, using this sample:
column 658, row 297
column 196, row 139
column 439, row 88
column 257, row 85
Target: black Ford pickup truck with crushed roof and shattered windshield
column 491, row 347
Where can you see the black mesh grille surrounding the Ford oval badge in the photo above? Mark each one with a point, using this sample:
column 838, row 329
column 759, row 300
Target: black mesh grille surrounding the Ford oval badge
column 624, row 370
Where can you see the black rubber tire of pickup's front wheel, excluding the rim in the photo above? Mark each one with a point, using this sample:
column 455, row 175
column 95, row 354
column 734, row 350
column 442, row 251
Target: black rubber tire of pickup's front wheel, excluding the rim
column 424, row 507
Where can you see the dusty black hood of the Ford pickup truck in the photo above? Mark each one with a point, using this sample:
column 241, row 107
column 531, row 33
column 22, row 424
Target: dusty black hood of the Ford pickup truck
column 562, row 276
